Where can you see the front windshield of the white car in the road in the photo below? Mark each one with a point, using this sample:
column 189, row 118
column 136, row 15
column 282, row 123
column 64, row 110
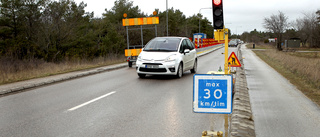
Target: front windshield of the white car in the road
column 163, row 44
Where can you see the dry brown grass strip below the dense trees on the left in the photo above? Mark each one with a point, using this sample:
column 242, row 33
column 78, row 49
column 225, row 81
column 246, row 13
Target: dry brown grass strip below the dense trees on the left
column 12, row 70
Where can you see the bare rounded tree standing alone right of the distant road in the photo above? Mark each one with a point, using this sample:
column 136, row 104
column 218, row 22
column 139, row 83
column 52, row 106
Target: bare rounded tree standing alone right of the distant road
column 277, row 24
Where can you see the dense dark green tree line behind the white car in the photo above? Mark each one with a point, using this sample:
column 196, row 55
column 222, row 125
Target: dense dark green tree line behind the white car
column 62, row 30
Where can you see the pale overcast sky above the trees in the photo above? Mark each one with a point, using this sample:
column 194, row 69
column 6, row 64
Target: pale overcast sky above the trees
column 239, row 15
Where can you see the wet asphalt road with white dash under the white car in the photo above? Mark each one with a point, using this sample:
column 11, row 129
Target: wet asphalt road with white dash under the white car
column 114, row 103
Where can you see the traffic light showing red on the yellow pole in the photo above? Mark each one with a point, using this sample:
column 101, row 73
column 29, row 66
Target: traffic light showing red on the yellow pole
column 217, row 10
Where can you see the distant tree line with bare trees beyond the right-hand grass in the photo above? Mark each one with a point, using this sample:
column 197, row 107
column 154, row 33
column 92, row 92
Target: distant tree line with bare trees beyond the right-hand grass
column 307, row 29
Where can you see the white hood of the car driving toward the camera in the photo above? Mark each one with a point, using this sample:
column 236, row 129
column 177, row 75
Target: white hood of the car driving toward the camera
column 155, row 55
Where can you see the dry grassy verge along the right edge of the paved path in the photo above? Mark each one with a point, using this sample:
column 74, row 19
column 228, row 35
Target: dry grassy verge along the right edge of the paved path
column 302, row 69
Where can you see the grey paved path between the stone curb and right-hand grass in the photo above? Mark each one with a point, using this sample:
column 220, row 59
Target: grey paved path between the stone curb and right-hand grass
column 279, row 108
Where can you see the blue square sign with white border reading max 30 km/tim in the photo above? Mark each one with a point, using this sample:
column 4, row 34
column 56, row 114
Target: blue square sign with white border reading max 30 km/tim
column 212, row 93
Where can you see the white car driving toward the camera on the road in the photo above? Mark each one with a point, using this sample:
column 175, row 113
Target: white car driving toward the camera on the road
column 167, row 56
